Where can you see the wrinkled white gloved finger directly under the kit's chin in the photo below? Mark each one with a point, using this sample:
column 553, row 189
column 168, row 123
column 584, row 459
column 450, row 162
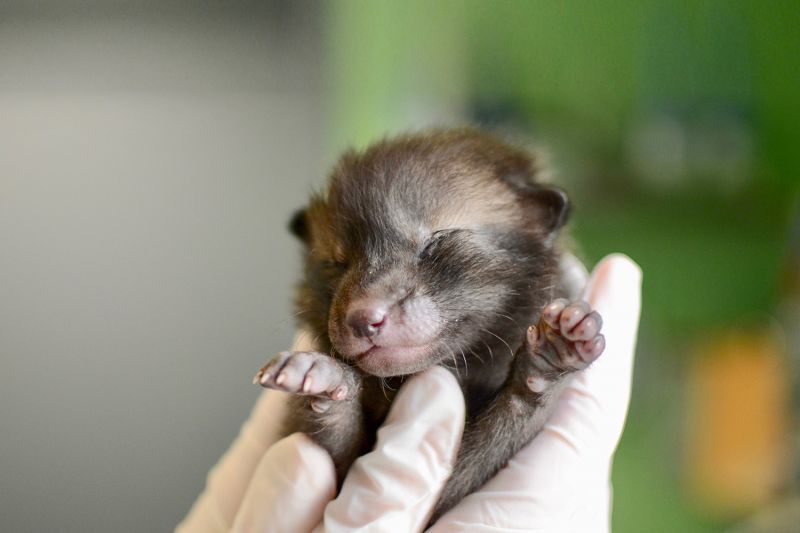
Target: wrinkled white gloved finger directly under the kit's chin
column 394, row 487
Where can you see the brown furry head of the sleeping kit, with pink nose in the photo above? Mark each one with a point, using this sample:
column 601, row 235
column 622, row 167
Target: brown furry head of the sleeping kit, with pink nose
column 422, row 249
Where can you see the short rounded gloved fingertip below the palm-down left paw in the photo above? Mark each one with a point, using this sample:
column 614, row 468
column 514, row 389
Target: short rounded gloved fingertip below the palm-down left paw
column 290, row 488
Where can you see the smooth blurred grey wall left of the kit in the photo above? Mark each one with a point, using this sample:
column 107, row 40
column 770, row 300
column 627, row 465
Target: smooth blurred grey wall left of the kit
column 149, row 161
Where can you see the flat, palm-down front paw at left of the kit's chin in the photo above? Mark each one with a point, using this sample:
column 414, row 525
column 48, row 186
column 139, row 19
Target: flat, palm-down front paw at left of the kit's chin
column 308, row 373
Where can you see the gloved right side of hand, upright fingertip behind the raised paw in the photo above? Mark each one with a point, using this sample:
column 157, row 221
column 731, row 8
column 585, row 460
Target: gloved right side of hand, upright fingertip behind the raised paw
column 540, row 489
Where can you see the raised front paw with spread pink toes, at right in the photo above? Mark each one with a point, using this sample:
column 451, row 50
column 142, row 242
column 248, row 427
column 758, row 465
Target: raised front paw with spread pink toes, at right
column 567, row 338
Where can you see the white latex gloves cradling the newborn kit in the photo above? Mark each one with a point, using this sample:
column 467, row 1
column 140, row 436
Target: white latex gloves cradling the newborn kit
column 559, row 482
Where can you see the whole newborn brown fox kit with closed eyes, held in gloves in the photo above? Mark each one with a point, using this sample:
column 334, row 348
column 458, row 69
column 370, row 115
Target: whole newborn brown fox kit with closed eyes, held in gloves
column 437, row 248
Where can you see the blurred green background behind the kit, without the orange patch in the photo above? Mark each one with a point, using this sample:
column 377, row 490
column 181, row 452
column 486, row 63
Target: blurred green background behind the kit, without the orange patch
column 673, row 125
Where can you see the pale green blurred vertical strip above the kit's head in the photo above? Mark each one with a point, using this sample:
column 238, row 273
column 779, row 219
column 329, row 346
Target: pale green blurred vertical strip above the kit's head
column 392, row 66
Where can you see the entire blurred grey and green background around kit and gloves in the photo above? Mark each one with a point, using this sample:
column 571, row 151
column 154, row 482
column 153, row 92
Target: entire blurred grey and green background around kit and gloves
column 152, row 152
